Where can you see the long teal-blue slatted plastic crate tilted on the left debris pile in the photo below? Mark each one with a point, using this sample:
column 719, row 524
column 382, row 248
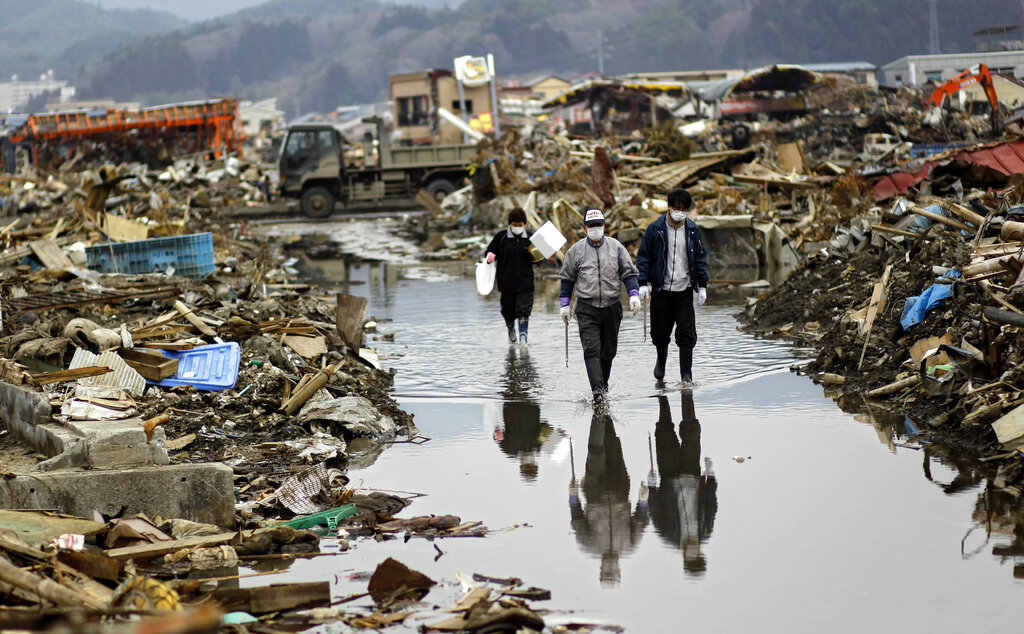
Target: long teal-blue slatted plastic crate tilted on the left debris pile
column 191, row 257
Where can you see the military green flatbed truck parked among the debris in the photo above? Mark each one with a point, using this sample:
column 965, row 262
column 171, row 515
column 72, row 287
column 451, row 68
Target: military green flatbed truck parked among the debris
column 314, row 170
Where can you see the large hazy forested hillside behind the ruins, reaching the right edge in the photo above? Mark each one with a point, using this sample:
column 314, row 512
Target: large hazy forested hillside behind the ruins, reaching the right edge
column 316, row 55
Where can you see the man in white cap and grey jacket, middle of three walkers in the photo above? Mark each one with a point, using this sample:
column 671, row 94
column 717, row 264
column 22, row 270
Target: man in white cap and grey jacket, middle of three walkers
column 595, row 268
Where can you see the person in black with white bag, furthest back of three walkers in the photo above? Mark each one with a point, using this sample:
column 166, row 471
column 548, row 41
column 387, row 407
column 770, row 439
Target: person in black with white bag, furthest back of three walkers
column 510, row 250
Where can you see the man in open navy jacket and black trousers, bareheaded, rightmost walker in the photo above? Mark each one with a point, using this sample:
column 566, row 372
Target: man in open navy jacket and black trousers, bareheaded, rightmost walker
column 673, row 261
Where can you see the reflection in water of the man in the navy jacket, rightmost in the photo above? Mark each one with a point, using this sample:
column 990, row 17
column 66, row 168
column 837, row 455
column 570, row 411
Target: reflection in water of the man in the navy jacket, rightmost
column 685, row 503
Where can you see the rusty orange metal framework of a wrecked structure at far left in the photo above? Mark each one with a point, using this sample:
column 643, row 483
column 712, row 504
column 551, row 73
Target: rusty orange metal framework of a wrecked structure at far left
column 217, row 123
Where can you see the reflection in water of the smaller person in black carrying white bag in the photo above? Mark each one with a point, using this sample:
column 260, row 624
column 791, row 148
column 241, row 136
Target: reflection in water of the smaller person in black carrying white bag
column 524, row 434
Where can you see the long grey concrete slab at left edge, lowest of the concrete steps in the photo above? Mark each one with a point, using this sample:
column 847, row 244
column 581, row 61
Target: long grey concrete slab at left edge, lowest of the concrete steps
column 197, row 492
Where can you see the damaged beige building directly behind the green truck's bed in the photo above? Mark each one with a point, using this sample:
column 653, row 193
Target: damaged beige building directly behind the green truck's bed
column 416, row 98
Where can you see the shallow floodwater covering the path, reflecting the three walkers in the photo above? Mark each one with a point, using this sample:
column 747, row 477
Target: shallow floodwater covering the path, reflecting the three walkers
column 753, row 504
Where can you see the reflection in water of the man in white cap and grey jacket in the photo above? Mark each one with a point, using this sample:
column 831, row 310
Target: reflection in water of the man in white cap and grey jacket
column 606, row 527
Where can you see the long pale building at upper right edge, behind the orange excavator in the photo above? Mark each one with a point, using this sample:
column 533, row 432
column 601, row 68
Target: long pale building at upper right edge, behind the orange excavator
column 919, row 70
